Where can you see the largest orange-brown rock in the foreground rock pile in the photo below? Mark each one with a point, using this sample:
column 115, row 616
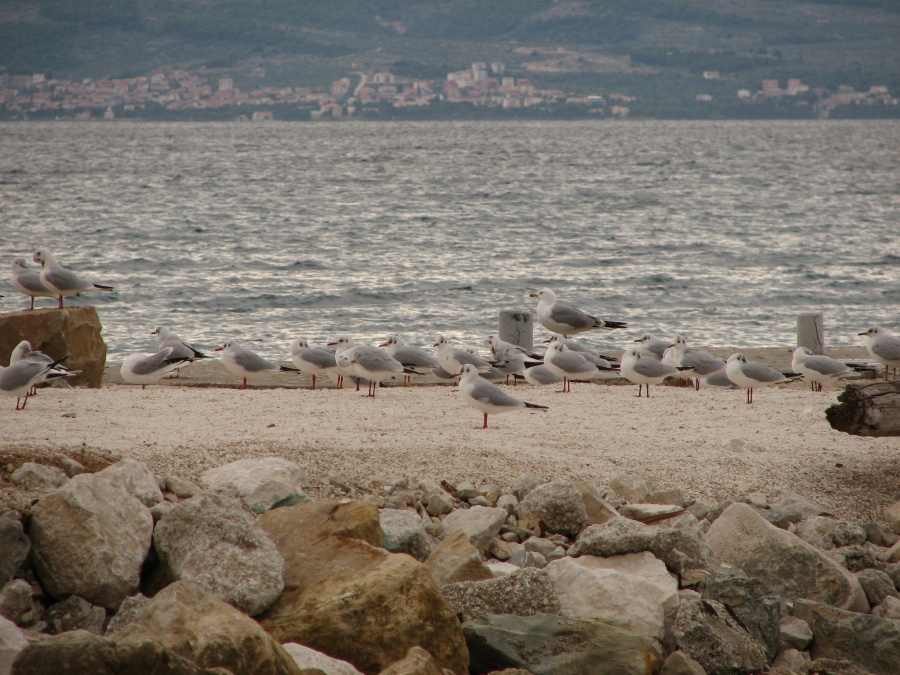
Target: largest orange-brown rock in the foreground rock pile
column 348, row 598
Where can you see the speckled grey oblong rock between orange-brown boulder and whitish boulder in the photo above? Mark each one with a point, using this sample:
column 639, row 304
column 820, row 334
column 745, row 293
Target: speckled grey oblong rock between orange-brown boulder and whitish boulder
column 523, row 593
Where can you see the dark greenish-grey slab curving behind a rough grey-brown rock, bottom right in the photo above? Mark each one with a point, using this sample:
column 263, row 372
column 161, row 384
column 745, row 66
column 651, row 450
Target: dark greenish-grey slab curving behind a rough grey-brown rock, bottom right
column 755, row 607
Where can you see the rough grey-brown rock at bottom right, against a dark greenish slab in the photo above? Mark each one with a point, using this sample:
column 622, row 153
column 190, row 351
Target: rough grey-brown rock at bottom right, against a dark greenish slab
column 706, row 632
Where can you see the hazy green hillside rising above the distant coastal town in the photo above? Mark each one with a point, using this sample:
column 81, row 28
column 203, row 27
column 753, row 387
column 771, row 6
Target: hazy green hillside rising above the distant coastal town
column 653, row 51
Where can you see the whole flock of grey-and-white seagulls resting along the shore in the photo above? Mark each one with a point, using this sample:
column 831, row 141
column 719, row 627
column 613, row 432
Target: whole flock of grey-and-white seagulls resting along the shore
column 565, row 360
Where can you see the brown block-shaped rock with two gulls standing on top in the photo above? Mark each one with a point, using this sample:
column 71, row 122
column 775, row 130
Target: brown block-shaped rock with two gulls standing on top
column 72, row 331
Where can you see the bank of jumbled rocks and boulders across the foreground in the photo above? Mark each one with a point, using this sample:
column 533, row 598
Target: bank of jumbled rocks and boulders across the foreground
column 262, row 568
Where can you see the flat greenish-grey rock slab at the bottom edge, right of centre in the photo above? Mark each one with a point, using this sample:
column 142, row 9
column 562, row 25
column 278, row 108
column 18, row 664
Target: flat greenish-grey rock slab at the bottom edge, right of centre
column 547, row 644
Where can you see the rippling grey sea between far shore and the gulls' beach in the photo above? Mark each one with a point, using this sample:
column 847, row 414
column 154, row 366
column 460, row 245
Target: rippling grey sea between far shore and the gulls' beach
column 723, row 232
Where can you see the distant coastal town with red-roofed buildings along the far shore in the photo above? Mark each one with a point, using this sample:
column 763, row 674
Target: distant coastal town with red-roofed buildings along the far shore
column 179, row 93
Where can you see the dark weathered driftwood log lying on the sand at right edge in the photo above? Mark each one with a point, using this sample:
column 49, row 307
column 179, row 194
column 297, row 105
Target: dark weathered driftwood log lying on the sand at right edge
column 867, row 410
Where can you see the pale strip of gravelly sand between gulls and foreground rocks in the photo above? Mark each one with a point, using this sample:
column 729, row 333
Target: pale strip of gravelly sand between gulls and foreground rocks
column 710, row 444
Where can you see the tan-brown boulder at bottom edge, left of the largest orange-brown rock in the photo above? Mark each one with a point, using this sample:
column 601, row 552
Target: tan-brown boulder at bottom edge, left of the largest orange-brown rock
column 194, row 624
